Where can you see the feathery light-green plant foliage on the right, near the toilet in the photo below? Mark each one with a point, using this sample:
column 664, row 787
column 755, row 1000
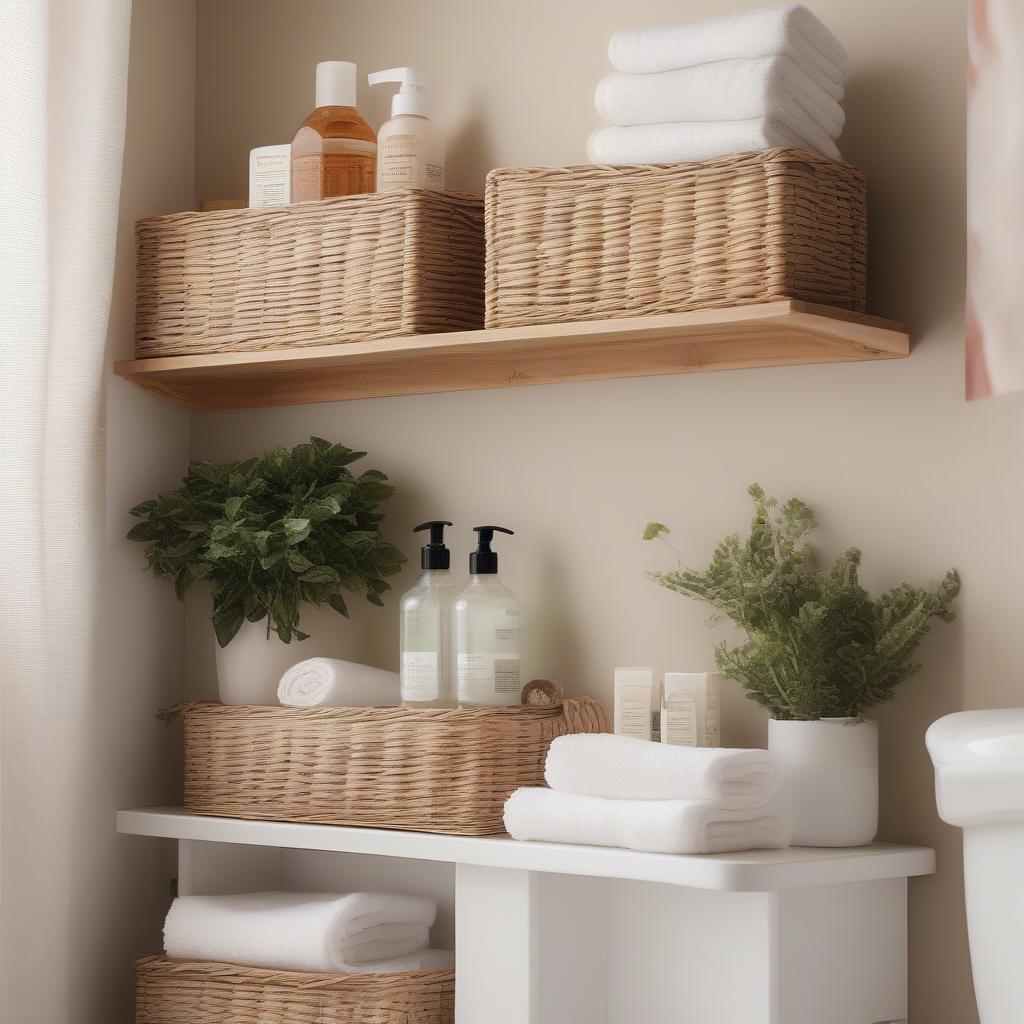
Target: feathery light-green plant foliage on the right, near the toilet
column 818, row 645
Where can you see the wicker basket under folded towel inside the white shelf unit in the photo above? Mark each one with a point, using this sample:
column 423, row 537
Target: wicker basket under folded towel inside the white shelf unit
column 170, row 992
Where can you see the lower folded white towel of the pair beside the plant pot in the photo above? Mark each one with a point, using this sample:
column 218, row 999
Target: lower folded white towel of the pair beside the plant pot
column 648, row 826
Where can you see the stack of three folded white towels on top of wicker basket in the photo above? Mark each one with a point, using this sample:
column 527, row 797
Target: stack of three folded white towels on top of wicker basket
column 735, row 84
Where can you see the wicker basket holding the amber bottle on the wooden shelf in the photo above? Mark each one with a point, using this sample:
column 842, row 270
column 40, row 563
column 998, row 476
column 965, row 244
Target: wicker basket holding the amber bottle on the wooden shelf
column 376, row 266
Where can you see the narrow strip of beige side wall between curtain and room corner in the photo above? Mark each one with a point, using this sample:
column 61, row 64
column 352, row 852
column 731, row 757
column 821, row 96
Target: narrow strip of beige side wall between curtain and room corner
column 136, row 760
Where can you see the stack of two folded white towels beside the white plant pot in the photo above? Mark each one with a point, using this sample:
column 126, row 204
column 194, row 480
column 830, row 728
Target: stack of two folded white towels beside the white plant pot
column 612, row 791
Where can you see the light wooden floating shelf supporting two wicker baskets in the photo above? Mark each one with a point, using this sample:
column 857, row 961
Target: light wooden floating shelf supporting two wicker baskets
column 774, row 334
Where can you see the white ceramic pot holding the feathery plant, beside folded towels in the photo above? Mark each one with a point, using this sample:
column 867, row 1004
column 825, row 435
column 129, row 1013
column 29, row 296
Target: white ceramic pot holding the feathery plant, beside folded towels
column 832, row 772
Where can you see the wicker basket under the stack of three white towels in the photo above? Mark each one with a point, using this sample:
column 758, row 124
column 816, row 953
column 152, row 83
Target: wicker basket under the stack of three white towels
column 587, row 243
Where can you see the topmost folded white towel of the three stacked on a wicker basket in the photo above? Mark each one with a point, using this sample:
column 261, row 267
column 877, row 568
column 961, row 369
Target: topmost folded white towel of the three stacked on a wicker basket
column 792, row 30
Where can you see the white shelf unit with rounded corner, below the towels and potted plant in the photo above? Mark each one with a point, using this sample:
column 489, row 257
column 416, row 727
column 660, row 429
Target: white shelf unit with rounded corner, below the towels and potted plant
column 553, row 934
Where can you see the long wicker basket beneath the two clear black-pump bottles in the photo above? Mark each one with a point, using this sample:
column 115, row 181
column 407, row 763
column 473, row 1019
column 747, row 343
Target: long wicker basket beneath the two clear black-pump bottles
column 445, row 772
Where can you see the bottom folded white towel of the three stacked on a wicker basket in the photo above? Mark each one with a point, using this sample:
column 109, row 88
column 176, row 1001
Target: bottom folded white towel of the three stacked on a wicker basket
column 692, row 142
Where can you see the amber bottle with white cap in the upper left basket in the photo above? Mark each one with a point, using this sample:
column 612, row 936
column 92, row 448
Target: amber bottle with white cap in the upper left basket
column 334, row 152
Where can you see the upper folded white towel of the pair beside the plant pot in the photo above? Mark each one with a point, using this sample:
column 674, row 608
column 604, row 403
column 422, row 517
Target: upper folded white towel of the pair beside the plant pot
column 620, row 769
